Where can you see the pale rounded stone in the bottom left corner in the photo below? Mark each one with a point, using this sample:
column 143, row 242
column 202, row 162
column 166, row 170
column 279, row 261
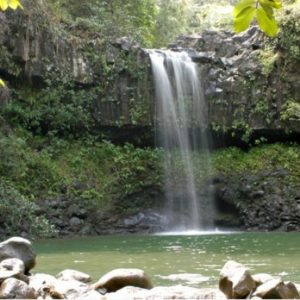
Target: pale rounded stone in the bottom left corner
column 12, row 288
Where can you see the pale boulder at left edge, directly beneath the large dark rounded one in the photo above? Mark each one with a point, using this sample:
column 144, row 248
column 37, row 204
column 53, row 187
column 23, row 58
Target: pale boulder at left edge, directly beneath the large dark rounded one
column 12, row 267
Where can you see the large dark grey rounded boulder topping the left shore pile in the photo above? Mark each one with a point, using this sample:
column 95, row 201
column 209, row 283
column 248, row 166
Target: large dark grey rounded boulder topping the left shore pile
column 17, row 247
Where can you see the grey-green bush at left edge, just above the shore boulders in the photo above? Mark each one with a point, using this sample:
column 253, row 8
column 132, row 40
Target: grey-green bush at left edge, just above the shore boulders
column 18, row 215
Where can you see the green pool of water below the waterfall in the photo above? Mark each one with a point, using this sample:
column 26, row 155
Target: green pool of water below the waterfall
column 162, row 256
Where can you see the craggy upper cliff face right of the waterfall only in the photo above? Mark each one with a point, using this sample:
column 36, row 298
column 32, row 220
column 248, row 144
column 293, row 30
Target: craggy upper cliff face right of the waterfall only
column 242, row 96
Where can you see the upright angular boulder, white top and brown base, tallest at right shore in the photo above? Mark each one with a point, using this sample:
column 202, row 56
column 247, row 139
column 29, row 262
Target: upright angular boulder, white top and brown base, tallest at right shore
column 235, row 281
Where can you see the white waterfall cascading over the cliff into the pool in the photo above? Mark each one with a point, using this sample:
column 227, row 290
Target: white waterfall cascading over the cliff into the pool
column 180, row 108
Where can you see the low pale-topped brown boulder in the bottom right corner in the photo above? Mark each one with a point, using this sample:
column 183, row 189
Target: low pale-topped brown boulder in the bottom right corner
column 277, row 289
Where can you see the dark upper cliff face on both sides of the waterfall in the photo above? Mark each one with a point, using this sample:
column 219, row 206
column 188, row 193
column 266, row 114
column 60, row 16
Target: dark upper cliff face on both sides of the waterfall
column 244, row 96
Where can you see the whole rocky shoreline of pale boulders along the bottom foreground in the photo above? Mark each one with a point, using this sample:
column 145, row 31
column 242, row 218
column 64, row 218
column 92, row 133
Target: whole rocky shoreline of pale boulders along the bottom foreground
column 17, row 259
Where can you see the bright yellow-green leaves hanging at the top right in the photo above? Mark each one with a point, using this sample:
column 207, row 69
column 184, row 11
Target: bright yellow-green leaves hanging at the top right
column 262, row 10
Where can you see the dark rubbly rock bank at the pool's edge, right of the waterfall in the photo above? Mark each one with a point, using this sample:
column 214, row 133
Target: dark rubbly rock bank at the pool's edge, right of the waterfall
column 263, row 201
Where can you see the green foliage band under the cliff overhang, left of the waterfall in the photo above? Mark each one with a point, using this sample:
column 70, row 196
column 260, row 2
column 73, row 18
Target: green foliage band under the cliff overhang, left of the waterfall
column 85, row 171
